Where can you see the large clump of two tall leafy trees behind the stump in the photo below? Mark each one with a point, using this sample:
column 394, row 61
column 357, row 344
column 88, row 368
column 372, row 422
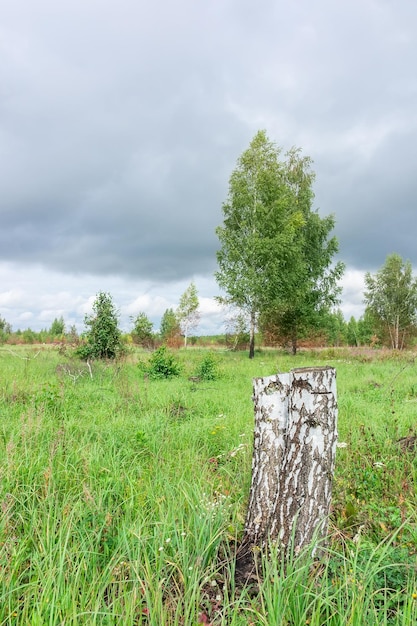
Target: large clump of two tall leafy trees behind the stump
column 275, row 252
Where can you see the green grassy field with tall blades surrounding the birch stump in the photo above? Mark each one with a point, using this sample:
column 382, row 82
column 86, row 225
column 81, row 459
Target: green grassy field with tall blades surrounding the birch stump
column 122, row 497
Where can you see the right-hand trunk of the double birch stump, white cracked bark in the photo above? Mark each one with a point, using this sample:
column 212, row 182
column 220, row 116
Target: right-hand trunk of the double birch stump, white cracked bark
column 303, row 504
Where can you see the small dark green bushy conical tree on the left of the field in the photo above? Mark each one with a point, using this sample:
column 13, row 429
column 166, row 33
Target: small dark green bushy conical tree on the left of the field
column 103, row 337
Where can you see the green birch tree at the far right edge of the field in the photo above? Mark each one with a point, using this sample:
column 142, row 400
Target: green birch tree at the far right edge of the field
column 391, row 296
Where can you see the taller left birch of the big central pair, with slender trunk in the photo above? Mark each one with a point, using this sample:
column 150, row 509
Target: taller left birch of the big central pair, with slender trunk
column 256, row 228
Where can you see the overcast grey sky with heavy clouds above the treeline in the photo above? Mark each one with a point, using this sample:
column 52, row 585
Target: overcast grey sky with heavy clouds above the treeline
column 121, row 122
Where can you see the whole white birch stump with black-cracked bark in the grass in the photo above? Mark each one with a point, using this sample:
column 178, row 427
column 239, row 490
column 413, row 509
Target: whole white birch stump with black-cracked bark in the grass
column 293, row 461
